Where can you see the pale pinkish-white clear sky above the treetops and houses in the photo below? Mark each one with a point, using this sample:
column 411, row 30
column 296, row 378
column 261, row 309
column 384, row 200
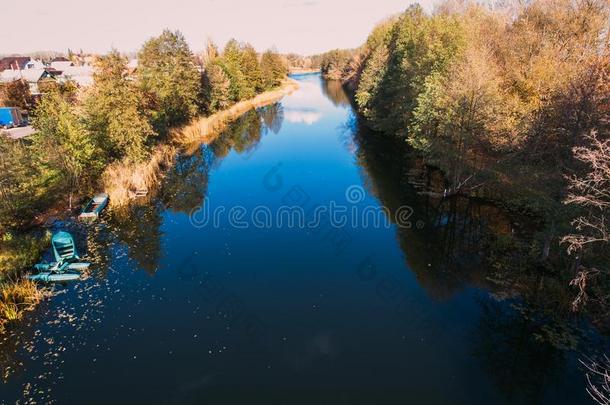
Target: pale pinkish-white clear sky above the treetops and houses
column 301, row 26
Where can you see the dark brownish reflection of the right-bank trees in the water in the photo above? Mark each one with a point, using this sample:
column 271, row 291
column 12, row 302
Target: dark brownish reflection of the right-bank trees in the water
column 460, row 241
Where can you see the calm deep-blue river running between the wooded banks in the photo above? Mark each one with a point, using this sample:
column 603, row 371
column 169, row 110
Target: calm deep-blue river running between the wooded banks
column 213, row 291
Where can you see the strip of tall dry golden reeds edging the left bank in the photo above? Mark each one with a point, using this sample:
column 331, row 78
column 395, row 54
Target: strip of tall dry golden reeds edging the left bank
column 122, row 180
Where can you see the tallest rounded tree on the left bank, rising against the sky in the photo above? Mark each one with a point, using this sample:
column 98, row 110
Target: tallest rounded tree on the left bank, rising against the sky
column 166, row 70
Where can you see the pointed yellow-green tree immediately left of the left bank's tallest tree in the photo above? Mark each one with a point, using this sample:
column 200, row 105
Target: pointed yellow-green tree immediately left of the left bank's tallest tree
column 117, row 115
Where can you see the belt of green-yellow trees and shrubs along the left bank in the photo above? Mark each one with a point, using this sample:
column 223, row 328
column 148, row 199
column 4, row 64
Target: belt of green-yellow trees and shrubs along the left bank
column 85, row 137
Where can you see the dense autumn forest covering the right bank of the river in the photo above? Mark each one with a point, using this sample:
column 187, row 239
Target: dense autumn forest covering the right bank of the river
column 512, row 104
